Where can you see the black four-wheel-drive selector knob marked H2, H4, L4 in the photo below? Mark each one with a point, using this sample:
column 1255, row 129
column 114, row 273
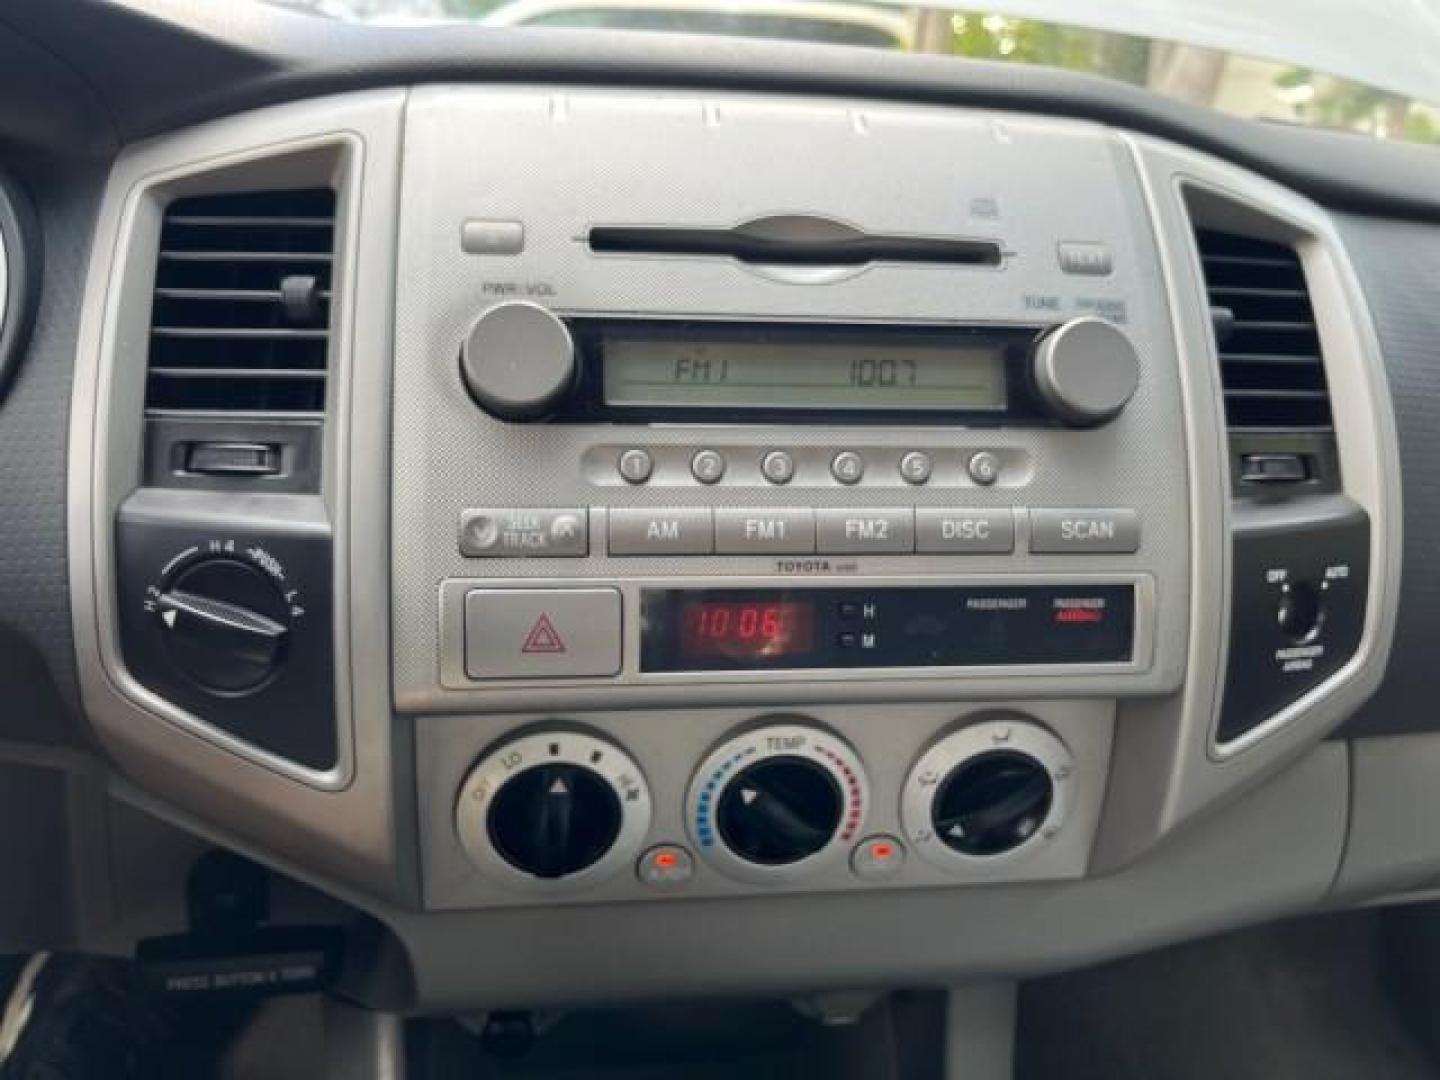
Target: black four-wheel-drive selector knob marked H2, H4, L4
column 225, row 624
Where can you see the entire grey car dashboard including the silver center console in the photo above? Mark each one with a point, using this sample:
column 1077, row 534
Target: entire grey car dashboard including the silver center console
column 630, row 525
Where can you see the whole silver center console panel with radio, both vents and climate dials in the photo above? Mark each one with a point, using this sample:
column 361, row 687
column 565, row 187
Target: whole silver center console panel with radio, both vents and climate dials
column 692, row 519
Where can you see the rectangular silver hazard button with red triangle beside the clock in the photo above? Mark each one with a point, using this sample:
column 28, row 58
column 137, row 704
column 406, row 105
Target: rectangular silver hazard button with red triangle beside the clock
column 542, row 633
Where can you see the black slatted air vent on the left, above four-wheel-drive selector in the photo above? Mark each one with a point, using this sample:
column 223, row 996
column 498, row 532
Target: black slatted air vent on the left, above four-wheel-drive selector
column 241, row 319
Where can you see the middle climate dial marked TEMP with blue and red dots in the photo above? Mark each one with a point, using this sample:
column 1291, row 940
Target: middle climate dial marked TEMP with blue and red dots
column 777, row 803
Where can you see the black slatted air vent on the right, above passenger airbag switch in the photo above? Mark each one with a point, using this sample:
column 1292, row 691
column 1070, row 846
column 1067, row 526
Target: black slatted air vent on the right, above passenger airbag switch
column 1269, row 349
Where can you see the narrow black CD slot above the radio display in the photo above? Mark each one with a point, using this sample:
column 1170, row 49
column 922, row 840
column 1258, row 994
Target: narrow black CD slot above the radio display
column 794, row 241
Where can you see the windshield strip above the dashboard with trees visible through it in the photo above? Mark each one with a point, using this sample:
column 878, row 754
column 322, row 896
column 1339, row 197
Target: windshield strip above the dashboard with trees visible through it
column 1357, row 66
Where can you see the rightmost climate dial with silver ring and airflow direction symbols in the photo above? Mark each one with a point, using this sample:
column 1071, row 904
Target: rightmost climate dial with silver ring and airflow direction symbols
column 987, row 793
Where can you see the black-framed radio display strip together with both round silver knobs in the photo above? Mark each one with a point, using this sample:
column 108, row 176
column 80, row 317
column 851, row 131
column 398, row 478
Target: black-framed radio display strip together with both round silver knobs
column 582, row 369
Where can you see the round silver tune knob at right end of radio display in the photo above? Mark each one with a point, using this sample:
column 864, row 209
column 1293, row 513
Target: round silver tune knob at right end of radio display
column 1086, row 371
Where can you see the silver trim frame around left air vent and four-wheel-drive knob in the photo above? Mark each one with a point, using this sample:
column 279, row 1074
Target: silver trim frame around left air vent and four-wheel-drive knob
column 341, row 822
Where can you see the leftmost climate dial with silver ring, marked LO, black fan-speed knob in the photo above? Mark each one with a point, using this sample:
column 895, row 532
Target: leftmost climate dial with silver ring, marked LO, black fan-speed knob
column 552, row 810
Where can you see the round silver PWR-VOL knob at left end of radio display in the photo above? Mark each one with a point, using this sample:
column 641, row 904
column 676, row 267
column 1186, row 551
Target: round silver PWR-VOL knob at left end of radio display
column 519, row 361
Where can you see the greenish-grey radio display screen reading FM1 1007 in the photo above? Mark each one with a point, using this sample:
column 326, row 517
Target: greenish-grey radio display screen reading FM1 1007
column 788, row 371
